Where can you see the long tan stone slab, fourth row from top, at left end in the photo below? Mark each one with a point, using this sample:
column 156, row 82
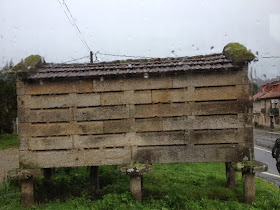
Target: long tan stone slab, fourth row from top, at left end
column 56, row 129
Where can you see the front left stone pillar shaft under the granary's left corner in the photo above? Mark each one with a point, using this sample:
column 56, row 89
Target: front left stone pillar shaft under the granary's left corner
column 27, row 193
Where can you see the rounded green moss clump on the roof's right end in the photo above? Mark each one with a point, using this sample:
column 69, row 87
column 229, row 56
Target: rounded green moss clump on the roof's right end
column 238, row 53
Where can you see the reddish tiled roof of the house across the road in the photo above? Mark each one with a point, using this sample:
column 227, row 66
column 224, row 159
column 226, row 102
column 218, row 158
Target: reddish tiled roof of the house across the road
column 268, row 91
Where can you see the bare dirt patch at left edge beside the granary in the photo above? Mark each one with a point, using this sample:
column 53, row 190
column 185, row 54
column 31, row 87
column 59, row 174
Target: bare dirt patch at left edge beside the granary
column 9, row 159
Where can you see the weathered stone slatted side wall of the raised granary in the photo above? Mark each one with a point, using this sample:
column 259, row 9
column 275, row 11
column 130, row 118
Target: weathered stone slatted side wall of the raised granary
column 187, row 117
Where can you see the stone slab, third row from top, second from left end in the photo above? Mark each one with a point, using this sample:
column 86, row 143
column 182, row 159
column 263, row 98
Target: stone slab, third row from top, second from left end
column 101, row 113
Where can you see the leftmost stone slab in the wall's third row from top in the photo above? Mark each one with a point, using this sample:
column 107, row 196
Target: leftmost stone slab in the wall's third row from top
column 53, row 115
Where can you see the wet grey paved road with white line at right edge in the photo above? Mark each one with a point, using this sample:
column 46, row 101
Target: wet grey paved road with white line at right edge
column 264, row 141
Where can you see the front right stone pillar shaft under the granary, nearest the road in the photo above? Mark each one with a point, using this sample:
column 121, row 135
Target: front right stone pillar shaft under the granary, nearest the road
column 249, row 187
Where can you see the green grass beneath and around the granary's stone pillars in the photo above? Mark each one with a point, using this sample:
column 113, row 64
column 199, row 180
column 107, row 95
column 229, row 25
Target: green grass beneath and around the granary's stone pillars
column 168, row 186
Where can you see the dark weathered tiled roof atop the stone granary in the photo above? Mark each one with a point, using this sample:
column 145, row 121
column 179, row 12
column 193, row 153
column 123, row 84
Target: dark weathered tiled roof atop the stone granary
column 128, row 67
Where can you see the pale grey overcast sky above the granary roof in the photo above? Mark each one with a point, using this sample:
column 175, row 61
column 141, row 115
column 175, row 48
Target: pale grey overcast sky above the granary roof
column 152, row 28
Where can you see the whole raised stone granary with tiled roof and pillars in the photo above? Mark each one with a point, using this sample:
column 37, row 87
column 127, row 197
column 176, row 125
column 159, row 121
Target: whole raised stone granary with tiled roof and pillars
column 136, row 112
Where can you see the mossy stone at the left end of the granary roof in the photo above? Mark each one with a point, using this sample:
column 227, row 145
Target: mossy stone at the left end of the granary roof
column 29, row 63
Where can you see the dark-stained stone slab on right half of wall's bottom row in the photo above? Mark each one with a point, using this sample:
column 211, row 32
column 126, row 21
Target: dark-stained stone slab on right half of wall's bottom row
column 183, row 154
